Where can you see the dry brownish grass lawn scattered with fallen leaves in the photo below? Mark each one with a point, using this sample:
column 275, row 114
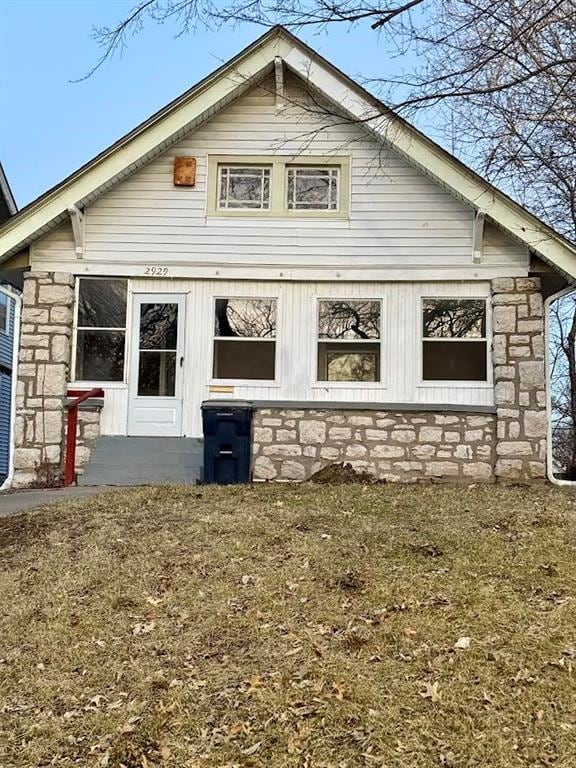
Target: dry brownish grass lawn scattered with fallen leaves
column 311, row 627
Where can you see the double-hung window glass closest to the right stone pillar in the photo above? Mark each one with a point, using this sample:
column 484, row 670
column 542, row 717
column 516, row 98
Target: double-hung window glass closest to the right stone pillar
column 454, row 340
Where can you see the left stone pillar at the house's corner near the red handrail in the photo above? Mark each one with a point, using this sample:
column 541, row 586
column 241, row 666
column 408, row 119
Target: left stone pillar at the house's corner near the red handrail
column 44, row 362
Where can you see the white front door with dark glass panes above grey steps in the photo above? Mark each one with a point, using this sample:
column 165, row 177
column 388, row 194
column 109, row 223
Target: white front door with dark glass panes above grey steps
column 156, row 365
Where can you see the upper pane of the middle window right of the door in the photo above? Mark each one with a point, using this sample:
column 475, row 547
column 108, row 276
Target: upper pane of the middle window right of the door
column 349, row 320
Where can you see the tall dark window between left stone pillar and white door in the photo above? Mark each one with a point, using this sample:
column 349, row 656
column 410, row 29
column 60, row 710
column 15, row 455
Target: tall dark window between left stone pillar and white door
column 101, row 329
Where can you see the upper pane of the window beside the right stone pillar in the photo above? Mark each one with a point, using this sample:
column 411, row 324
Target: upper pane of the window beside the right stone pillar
column 454, row 318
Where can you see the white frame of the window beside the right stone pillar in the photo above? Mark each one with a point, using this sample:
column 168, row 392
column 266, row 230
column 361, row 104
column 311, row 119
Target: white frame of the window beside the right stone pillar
column 487, row 340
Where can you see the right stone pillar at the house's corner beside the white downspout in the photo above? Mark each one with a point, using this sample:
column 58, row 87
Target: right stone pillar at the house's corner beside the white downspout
column 519, row 379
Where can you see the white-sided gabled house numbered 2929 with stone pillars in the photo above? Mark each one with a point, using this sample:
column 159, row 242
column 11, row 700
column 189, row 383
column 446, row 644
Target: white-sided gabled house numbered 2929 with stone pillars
column 277, row 235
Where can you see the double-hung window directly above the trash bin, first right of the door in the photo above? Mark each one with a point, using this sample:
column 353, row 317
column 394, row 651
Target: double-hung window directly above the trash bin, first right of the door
column 244, row 339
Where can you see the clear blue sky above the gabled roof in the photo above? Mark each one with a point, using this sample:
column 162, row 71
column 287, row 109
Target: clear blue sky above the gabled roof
column 49, row 126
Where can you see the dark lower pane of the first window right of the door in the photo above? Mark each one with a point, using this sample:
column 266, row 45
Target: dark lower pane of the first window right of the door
column 244, row 360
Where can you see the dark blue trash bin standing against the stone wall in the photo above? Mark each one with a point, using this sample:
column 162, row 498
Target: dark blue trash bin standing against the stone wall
column 227, row 429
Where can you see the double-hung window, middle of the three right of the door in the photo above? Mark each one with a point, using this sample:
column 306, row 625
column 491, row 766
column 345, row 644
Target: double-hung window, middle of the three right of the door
column 349, row 340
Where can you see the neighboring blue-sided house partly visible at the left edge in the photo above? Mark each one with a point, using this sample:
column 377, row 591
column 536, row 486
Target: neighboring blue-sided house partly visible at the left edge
column 7, row 323
